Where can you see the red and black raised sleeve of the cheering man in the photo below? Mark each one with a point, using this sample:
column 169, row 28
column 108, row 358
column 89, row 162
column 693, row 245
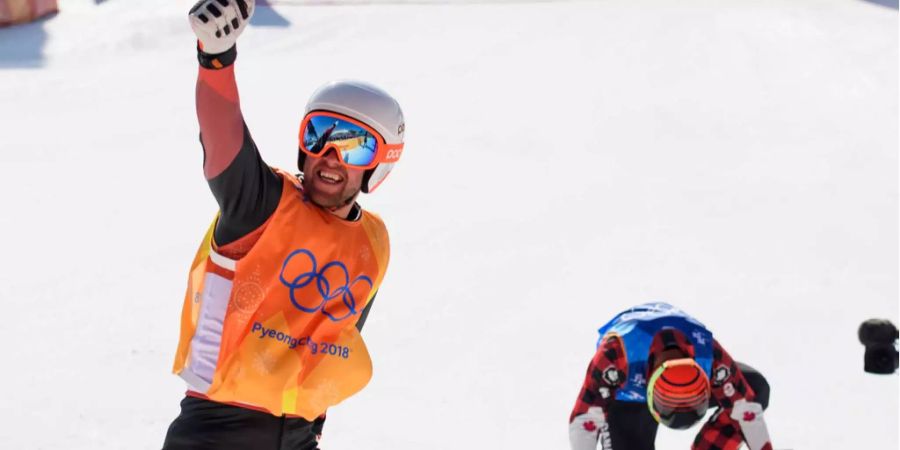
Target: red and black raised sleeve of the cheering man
column 245, row 188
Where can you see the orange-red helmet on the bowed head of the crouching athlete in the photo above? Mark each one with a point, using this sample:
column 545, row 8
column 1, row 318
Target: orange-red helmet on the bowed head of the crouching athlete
column 678, row 393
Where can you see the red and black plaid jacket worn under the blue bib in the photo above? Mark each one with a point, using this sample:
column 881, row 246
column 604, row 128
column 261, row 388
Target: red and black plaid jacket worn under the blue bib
column 609, row 369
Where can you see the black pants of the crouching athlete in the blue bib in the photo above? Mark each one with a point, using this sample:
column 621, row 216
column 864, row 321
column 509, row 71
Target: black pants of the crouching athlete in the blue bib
column 632, row 427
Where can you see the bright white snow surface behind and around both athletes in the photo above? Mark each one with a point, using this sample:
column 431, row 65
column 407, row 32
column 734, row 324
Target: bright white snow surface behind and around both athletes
column 565, row 160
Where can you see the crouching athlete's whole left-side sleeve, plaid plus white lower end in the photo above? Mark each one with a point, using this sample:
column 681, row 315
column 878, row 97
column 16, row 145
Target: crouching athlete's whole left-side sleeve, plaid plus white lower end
column 588, row 424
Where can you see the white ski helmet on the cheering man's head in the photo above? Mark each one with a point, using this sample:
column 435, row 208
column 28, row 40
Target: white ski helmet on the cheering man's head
column 365, row 103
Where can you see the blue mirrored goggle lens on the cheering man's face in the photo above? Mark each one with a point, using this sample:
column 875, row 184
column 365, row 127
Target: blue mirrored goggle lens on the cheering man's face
column 356, row 145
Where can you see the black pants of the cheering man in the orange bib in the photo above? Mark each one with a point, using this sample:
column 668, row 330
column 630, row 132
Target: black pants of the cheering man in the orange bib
column 203, row 425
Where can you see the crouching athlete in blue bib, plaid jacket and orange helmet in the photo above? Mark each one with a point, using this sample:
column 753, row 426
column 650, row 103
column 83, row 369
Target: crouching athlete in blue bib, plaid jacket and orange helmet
column 657, row 365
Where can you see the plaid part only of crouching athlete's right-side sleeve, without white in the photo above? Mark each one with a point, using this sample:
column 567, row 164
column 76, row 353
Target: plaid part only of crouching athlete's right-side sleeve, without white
column 721, row 432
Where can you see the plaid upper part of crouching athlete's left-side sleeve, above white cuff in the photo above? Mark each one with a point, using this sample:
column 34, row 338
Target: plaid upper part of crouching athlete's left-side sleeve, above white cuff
column 607, row 371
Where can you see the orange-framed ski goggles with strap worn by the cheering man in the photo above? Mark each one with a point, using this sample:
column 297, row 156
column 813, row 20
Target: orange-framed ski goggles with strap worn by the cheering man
column 358, row 145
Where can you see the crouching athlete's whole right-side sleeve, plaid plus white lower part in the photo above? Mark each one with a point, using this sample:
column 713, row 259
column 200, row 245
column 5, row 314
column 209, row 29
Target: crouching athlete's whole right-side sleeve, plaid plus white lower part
column 739, row 418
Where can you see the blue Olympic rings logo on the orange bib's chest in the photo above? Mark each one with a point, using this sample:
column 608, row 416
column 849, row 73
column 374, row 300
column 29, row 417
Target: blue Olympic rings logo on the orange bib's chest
column 332, row 282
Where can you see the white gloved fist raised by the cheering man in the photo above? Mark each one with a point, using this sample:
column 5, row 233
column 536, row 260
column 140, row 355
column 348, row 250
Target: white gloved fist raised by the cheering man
column 218, row 23
